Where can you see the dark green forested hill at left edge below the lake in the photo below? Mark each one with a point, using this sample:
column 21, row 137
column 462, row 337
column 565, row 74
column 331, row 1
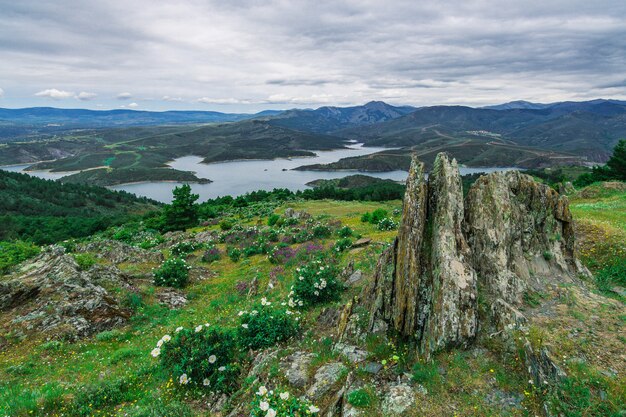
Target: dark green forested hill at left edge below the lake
column 45, row 211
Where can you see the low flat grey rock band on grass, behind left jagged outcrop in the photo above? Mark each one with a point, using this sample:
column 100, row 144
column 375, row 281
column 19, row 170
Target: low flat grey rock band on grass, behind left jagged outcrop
column 117, row 252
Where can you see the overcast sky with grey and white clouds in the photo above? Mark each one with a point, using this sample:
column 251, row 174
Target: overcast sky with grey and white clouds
column 236, row 55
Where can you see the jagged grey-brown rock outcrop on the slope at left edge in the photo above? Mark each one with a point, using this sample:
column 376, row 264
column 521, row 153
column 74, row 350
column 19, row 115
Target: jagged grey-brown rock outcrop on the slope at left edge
column 51, row 294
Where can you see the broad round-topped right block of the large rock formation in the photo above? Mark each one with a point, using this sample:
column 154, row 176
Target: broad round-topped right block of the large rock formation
column 521, row 236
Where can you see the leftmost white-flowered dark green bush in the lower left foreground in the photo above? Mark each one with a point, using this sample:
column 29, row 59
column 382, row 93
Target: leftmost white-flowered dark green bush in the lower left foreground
column 204, row 356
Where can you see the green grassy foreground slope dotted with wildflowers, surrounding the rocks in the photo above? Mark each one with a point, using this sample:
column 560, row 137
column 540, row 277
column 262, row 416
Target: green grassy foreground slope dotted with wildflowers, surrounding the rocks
column 113, row 374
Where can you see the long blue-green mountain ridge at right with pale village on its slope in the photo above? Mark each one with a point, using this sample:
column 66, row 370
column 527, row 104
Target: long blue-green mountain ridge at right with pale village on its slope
column 587, row 129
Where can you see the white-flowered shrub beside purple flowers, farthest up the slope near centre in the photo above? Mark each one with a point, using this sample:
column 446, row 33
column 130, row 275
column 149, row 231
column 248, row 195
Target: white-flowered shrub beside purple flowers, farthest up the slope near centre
column 315, row 282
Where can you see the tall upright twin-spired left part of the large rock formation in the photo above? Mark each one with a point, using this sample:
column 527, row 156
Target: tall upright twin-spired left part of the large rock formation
column 425, row 286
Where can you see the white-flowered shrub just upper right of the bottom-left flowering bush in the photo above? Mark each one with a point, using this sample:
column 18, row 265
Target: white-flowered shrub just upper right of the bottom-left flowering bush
column 264, row 326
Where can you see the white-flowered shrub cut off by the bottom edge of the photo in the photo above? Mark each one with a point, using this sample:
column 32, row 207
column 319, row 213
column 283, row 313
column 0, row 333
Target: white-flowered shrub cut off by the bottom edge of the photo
column 280, row 403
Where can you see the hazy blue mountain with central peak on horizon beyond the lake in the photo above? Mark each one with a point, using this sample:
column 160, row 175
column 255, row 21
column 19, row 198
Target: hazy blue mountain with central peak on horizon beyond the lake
column 330, row 119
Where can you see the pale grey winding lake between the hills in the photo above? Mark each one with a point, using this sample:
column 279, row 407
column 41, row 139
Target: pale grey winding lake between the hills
column 239, row 177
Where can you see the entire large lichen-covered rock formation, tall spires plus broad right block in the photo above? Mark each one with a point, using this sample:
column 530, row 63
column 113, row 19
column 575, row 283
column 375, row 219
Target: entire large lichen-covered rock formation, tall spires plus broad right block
column 512, row 234
